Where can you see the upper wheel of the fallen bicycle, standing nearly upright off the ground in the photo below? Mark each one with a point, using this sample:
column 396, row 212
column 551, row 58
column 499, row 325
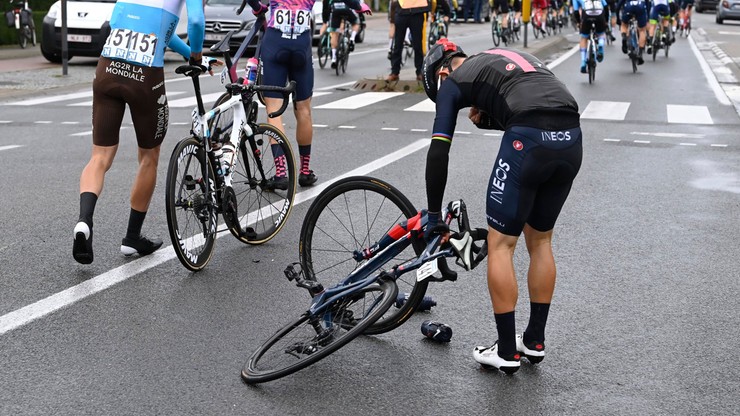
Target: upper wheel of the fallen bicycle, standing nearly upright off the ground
column 350, row 215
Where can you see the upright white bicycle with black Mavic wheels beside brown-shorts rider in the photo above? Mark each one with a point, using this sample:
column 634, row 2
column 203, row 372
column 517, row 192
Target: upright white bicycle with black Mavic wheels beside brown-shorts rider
column 228, row 165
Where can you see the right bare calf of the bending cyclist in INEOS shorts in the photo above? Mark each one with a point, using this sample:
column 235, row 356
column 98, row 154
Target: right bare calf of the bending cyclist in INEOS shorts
column 542, row 271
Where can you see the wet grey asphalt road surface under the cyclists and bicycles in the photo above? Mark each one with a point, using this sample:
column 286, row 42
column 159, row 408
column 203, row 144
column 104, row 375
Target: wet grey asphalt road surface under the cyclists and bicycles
column 642, row 322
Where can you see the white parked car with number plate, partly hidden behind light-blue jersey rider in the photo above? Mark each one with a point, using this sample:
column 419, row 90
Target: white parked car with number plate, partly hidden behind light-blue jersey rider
column 88, row 26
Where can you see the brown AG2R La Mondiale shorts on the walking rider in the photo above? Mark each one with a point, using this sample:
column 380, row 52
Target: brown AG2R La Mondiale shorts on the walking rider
column 118, row 83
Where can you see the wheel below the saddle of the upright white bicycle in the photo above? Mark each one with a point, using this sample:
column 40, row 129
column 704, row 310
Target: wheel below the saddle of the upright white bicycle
column 191, row 220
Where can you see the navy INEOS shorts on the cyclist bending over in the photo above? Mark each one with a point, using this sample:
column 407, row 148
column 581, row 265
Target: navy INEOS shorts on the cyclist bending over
column 531, row 178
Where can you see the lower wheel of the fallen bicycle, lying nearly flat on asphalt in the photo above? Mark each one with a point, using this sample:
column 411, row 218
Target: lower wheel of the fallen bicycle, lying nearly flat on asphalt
column 286, row 351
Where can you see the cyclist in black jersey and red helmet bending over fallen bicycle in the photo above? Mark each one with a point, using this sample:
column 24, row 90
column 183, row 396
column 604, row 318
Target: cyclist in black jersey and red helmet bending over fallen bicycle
column 539, row 156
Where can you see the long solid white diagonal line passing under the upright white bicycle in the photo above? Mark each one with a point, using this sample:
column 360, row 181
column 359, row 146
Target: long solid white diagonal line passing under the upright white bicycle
column 74, row 294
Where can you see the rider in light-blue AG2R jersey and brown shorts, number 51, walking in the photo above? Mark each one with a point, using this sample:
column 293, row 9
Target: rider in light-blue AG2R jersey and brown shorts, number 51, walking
column 130, row 72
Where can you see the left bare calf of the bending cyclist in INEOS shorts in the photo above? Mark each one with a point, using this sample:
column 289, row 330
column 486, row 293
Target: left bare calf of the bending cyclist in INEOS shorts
column 502, row 285
